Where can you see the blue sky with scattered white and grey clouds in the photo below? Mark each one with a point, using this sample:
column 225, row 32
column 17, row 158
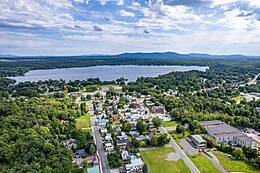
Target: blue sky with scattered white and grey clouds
column 85, row 27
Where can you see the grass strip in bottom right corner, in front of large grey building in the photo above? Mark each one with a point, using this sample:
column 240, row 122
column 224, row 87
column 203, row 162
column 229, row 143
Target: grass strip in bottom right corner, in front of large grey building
column 234, row 165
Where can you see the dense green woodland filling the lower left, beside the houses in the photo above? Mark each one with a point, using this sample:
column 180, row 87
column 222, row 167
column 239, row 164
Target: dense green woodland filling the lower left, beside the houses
column 31, row 135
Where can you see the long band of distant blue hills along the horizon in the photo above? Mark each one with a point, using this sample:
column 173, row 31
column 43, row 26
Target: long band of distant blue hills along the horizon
column 162, row 55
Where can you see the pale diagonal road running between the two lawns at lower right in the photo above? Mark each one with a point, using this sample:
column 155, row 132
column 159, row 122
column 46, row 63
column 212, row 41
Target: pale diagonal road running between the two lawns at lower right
column 182, row 155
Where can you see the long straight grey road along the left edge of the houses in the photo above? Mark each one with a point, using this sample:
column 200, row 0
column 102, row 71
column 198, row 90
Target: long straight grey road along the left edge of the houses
column 100, row 150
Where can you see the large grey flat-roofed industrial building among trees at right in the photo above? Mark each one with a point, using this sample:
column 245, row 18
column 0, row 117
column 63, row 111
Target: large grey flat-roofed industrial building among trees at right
column 224, row 133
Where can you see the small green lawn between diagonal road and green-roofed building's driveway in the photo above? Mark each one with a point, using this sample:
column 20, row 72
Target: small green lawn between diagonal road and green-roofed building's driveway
column 203, row 164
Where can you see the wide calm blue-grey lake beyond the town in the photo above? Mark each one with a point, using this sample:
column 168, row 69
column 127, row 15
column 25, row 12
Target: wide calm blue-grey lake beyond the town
column 104, row 73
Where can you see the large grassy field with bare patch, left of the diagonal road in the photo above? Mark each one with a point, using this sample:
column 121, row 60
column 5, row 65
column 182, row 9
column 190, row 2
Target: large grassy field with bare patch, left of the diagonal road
column 155, row 160
